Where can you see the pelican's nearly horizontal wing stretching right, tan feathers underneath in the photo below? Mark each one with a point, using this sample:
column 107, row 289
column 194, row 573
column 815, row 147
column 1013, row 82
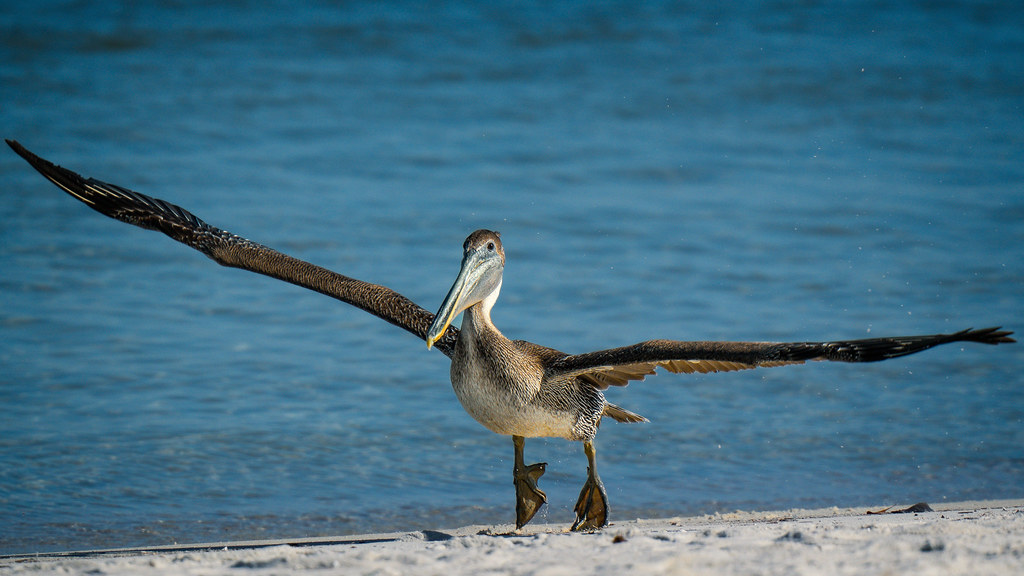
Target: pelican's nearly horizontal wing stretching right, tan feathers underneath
column 617, row 367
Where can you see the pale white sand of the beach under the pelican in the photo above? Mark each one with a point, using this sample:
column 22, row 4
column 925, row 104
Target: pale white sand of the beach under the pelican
column 959, row 539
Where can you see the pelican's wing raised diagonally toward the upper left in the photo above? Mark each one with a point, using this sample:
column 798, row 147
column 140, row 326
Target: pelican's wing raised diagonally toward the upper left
column 235, row 252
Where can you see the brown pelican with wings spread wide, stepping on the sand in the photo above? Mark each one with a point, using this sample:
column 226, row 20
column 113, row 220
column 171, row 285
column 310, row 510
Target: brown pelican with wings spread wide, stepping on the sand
column 514, row 388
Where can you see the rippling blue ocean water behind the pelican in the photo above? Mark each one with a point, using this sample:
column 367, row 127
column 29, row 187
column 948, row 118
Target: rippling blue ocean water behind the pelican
column 755, row 171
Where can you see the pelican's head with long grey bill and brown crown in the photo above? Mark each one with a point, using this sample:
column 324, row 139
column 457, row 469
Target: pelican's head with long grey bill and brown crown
column 480, row 281
